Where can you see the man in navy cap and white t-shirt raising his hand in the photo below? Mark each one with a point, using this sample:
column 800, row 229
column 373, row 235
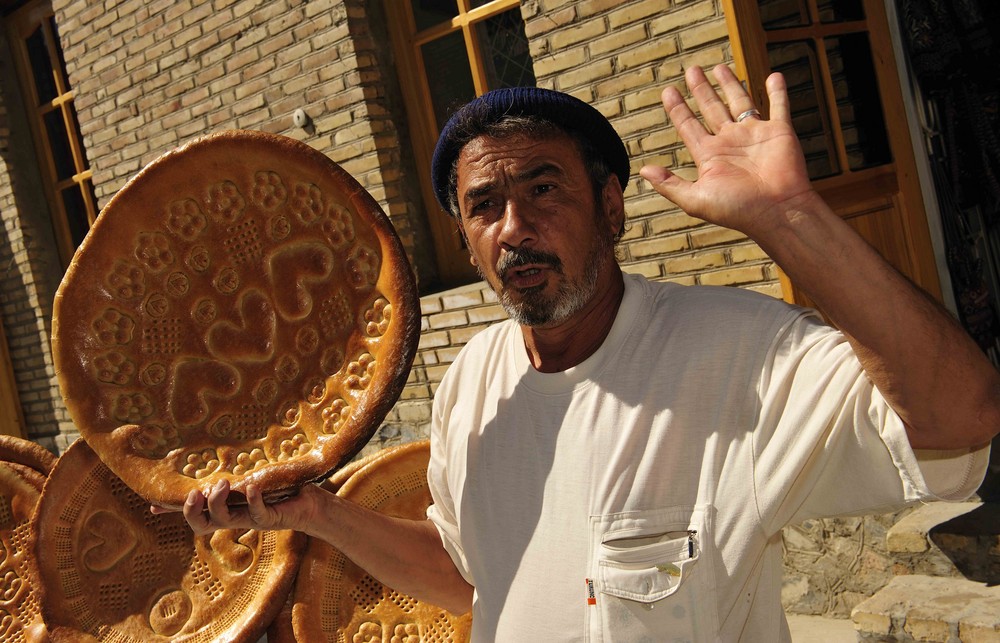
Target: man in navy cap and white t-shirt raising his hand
column 618, row 460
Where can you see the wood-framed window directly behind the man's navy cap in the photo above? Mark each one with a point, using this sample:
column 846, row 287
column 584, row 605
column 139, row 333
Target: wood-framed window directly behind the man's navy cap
column 447, row 53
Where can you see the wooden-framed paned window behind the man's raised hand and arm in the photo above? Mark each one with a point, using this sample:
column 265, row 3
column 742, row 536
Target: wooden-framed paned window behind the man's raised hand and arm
column 849, row 112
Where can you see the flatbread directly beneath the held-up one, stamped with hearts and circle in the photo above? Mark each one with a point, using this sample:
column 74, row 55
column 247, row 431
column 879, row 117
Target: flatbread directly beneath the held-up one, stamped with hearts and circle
column 108, row 569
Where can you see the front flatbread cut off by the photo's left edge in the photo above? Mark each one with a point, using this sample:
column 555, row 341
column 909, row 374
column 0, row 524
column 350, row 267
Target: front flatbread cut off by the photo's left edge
column 20, row 617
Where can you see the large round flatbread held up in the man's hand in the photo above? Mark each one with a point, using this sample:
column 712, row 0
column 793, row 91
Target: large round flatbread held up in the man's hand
column 241, row 309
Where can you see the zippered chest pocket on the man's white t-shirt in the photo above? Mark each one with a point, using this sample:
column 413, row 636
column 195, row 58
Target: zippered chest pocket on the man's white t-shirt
column 652, row 581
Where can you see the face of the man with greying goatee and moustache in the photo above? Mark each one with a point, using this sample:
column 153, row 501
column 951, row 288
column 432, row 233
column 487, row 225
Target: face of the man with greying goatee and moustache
column 534, row 230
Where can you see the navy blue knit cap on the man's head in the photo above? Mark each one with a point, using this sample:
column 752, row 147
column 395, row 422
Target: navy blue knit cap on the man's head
column 563, row 110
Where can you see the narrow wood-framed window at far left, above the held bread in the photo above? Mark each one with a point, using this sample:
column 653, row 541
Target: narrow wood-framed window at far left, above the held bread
column 48, row 102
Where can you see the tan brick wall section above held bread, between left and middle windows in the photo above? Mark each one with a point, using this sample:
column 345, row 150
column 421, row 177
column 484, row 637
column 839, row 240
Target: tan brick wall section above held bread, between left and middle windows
column 149, row 77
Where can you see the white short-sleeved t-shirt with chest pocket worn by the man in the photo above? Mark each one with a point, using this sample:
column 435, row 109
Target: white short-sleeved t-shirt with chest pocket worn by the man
column 640, row 495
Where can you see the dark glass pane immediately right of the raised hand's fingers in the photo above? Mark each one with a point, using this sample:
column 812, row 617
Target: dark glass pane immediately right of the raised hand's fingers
column 797, row 61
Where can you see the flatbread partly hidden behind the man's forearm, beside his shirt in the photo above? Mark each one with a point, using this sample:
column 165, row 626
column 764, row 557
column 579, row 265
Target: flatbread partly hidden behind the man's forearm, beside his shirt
column 335, row 600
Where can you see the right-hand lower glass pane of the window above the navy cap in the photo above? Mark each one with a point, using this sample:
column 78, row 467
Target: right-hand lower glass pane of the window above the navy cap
column 505, row 50
